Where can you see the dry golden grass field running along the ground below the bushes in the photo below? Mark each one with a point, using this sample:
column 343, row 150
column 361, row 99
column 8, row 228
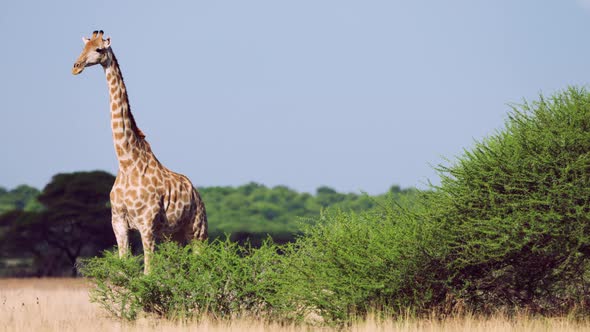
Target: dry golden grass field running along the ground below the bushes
column 62, row 305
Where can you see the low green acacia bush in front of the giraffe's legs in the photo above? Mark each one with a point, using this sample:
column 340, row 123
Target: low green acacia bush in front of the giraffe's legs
column 221, row 279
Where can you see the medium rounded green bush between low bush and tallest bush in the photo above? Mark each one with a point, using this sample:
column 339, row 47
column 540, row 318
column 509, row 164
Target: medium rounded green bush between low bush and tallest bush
column 349, row 264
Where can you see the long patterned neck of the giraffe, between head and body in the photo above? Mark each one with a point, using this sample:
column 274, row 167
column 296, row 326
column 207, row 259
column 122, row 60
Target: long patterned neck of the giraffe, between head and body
column 129, row 140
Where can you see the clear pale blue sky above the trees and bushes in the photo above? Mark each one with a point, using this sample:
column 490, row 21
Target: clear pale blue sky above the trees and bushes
column 355, row 95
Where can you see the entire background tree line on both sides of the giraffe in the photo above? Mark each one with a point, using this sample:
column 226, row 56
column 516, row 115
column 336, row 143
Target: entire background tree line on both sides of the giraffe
column 45, row 232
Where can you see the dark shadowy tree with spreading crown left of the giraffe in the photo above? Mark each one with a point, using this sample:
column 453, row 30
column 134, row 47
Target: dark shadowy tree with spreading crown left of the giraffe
column 75, row 222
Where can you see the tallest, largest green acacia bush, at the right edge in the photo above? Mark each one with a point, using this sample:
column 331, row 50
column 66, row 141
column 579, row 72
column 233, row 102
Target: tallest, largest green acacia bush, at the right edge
column 516, row 209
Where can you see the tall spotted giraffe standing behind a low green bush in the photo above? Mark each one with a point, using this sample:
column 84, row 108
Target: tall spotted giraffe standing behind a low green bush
column 146, row 195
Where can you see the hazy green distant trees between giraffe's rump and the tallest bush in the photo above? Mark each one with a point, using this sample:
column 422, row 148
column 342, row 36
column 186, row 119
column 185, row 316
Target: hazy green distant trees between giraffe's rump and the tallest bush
column 253, row 212
